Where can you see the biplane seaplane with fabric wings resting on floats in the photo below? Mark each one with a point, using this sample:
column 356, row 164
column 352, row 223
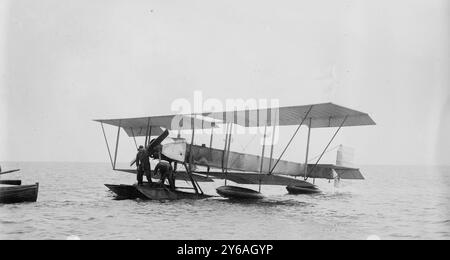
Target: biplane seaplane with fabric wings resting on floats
column 188, row 158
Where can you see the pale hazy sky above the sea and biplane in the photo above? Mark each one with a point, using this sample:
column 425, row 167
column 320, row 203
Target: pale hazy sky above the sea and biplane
column 64, row 63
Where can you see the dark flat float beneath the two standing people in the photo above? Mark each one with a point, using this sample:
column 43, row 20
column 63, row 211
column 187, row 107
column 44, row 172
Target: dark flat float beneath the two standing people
column 151, row 191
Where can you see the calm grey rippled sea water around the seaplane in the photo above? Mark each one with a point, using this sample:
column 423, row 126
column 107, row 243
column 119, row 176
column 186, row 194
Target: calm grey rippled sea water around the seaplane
column 394, row 202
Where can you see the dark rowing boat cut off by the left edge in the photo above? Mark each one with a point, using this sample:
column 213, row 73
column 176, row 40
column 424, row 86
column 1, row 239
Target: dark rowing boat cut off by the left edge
column 17, row 194
